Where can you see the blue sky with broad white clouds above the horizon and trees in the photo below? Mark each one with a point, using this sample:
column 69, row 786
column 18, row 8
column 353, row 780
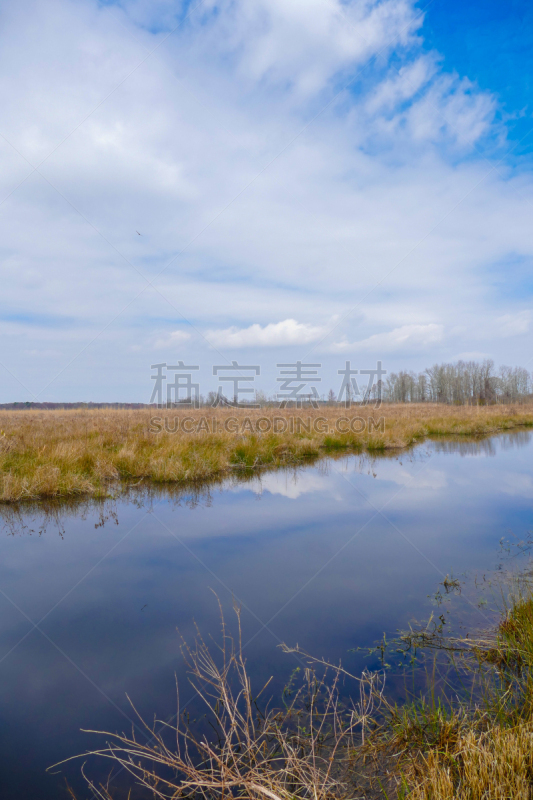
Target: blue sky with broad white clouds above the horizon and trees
column 262, row 182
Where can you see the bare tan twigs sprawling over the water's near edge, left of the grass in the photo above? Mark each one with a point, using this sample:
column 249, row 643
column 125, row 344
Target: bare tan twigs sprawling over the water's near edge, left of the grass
column 244, row 749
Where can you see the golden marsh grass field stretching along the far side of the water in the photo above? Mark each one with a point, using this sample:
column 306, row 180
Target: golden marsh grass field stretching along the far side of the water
column 57, row 453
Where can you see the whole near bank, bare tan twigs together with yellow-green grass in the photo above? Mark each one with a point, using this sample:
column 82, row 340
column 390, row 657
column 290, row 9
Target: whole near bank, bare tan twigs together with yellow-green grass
column 320, row 744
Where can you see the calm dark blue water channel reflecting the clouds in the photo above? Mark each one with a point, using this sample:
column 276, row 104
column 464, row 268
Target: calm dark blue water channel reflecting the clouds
column 329, row 557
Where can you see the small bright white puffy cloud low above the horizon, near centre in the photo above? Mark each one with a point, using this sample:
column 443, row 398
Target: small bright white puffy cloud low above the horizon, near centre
column 275, row 334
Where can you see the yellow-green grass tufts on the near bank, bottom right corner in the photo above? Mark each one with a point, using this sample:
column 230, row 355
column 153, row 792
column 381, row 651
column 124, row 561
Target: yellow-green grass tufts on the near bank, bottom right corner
column 482, row 749
